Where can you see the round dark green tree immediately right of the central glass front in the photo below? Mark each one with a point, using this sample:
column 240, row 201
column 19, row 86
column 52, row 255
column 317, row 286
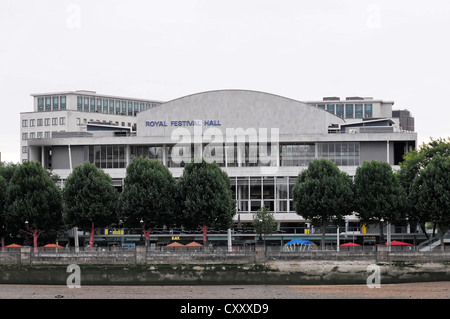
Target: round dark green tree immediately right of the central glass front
column 322, row 193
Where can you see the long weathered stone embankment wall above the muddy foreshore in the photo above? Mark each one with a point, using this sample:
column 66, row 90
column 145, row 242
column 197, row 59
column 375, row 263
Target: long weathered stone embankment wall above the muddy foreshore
column 142, row 267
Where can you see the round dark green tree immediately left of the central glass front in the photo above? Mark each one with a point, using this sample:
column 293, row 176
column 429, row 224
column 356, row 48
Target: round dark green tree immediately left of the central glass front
column 204, row 193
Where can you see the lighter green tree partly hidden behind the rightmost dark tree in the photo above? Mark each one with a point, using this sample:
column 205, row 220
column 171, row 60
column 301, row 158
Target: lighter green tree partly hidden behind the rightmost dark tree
column 413, row 163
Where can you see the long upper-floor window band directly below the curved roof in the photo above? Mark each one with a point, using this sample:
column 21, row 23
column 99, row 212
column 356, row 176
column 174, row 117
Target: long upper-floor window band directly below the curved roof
column 341, row 153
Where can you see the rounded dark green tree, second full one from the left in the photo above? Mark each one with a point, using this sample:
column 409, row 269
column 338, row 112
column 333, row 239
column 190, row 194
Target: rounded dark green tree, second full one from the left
column 89, row 199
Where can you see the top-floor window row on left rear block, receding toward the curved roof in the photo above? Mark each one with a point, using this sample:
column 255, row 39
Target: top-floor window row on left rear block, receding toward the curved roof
column 112, row 106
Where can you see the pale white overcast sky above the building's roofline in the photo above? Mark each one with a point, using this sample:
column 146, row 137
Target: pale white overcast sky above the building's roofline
column 305, row 50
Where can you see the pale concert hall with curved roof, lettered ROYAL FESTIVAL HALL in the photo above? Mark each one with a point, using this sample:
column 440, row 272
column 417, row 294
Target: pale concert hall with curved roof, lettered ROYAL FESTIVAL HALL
column 263, row 141
